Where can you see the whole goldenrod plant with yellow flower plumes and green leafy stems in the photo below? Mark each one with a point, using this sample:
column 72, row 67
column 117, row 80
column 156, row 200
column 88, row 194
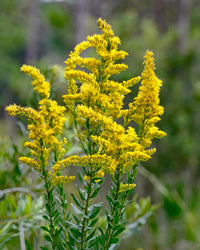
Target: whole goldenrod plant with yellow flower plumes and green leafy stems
column 95, row 103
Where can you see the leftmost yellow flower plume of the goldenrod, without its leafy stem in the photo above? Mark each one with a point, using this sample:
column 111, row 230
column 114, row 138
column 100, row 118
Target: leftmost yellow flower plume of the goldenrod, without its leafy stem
column 44, row 125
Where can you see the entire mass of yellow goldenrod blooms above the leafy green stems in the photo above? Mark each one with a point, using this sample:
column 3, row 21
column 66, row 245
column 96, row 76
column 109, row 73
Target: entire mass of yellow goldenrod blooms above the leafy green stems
column 96, row 102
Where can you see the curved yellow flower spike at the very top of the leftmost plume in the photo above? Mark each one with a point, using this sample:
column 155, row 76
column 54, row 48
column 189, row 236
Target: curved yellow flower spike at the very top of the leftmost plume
column 41, row 86
